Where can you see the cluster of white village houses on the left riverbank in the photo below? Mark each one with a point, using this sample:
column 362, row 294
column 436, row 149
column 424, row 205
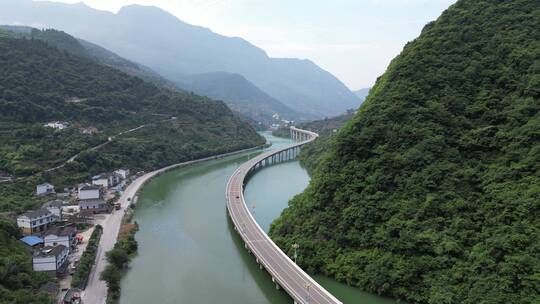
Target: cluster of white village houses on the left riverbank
column 50, row 234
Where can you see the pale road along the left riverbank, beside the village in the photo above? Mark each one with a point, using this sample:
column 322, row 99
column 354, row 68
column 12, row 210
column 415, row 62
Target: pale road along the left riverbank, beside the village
column 96, row 289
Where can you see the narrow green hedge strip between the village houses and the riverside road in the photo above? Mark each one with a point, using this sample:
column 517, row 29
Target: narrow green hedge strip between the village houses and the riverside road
column 88, row 259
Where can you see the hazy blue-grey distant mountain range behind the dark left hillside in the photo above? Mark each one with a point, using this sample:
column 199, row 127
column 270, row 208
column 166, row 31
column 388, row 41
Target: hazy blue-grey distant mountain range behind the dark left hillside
column 178, row 50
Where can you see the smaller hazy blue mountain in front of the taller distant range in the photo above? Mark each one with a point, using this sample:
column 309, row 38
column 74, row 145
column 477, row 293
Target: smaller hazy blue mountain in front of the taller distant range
column 240, row 95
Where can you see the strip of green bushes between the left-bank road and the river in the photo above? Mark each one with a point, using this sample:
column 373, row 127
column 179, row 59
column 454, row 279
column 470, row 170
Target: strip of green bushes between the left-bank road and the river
column 118, row 258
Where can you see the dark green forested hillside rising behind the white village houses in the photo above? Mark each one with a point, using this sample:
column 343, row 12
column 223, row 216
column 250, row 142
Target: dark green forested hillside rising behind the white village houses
column 40, row 83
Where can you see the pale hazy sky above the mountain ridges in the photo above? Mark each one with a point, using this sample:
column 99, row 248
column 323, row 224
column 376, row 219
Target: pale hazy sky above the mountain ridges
column 353, row 39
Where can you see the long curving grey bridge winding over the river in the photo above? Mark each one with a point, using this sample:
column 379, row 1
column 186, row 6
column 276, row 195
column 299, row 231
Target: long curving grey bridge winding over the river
column 298, row 284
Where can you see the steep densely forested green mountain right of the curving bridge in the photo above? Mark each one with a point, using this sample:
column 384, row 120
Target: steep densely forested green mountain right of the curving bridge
column 431, row 193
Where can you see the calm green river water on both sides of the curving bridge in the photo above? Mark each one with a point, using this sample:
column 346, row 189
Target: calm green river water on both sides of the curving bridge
column 188, row 249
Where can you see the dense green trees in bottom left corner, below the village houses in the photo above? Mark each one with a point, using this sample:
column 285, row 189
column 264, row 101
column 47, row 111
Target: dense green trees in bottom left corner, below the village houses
column 18, row 283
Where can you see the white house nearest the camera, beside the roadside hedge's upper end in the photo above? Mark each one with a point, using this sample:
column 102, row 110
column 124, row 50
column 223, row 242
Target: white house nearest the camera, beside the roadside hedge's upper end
column 51, row 259
